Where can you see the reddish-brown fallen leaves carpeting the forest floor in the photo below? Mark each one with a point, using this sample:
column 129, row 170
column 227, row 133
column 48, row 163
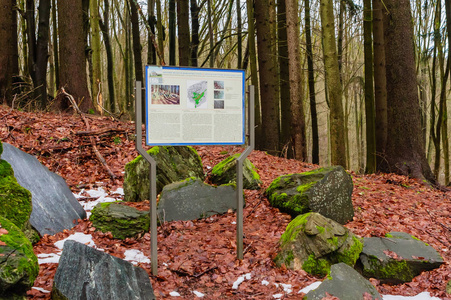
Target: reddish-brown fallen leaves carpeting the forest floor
column 200, row 256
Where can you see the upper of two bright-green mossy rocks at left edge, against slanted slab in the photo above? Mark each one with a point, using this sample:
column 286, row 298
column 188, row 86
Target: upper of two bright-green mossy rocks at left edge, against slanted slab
column 15, row 201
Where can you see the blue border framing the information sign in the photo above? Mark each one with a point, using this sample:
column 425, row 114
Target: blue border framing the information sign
column 196, row 69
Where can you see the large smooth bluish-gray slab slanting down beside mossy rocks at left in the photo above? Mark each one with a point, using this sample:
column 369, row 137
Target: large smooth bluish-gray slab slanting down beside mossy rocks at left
column 54, row 206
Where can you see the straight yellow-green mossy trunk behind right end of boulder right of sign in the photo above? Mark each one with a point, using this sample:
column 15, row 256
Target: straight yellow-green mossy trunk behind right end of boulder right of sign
column 337, row 134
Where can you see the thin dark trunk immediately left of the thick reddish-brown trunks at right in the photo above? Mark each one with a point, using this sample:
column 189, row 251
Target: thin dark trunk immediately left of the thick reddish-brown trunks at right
column 369, row 91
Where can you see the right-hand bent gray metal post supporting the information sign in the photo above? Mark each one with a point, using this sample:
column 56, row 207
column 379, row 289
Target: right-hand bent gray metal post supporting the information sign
column 239, row 174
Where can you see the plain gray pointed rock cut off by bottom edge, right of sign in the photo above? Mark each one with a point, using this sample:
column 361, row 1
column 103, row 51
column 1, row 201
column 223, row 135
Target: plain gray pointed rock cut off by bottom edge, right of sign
column 344, row 283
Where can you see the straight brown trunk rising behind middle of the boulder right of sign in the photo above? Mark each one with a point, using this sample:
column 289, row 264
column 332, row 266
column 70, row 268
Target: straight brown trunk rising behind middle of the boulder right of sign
column 296, row 90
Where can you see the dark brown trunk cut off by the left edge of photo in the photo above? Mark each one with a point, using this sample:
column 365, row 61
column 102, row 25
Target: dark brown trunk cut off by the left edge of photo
column 9, row 53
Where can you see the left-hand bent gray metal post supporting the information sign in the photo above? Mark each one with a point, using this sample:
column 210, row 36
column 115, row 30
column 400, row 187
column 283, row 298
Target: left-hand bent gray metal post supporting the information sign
column 153, row 179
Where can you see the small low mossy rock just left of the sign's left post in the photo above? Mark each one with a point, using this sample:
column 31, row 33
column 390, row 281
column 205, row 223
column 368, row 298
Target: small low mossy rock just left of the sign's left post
column 121, row 220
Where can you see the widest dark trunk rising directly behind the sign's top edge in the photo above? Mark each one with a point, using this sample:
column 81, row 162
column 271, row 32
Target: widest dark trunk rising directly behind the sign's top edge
column 183, row 31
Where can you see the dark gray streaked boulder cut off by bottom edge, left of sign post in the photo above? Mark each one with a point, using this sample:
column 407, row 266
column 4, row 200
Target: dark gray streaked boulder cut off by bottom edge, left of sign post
column 86, row 273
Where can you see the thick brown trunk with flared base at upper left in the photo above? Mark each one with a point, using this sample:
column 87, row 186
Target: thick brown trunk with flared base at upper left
column 72, row 53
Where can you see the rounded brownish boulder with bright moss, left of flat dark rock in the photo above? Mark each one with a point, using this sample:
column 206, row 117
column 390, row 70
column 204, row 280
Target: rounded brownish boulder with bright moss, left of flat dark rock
column 313, row 243
